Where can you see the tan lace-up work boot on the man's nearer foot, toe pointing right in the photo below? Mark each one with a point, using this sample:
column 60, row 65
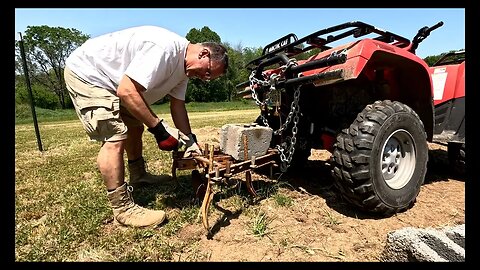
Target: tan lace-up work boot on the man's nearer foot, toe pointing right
column 128, row 213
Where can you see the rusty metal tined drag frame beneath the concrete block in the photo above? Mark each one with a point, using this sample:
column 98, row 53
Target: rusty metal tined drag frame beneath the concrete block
column 215, row 167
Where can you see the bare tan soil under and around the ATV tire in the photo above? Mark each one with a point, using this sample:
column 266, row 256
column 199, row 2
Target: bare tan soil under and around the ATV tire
column 318, row 225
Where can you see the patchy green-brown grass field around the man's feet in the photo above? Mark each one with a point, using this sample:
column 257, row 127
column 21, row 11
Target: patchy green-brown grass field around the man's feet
column 61, row 208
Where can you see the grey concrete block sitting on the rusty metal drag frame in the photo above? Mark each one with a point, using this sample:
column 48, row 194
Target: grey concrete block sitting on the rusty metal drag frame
column 232, row 140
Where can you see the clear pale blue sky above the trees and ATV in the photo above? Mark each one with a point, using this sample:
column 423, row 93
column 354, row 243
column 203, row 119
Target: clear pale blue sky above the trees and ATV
column 250, row 27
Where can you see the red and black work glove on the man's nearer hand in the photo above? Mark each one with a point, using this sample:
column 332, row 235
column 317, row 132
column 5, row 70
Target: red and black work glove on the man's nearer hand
column 168, row 138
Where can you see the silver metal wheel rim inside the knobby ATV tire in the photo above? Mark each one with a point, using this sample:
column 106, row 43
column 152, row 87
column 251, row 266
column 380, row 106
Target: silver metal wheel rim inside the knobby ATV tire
column 398, row 159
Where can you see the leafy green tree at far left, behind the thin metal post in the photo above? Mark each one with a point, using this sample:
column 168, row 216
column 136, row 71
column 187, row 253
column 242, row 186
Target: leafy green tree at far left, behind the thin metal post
column 46, row 49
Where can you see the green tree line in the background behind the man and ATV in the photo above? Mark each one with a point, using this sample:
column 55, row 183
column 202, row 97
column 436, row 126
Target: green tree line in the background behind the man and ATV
column 46, row 49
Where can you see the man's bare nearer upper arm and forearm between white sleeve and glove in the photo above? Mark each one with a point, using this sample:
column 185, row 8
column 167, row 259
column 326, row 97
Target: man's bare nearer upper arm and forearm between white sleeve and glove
column 129, row 92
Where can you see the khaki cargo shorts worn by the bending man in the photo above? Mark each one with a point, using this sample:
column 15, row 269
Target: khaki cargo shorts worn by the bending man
column 99, row 110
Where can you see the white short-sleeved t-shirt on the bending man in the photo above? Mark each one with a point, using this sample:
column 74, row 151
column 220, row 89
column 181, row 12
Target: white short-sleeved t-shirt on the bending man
column 152, row 56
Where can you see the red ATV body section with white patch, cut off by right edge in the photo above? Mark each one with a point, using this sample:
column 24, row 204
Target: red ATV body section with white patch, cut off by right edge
column 448, row 79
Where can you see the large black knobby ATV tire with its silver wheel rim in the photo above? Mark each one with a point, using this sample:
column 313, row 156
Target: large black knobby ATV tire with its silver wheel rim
column 380, row 161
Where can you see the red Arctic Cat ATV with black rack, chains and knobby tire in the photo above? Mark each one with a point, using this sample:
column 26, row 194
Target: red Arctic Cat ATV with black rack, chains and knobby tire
column 368, row 100
